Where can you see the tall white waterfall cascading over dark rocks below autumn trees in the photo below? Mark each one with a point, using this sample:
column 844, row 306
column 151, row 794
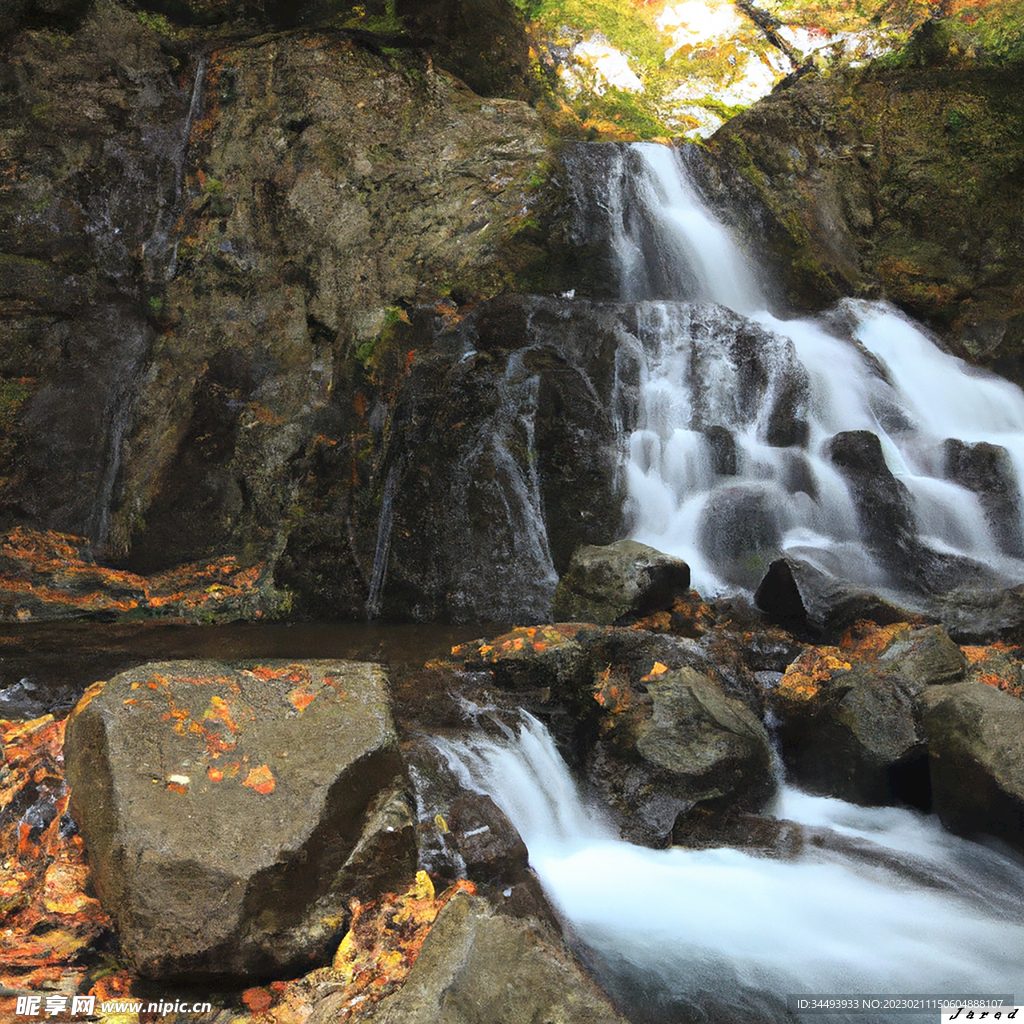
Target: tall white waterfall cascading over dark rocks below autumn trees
column 865, row 368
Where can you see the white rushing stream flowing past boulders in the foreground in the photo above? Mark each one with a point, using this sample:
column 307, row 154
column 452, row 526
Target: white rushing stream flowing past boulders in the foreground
column 732, row 935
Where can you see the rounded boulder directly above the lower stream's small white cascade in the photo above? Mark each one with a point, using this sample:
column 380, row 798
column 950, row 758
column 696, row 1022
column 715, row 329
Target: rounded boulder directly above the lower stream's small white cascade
column 671, row 743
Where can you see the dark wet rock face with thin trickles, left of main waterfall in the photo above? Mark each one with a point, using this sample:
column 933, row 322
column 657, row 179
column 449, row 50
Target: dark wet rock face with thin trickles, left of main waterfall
column 502, row 455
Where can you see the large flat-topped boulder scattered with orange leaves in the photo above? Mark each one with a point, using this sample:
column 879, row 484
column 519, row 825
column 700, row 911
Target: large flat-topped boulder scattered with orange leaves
column 231, row 812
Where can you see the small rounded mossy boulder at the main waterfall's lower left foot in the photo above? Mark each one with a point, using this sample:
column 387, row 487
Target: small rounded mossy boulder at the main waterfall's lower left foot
column 619, row 583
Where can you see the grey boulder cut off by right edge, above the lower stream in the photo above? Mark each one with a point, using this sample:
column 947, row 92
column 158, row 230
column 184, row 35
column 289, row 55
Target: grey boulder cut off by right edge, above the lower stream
column 975, row 736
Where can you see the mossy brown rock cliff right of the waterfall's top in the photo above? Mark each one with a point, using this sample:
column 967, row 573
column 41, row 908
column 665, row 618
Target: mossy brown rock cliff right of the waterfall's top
column 844, row 176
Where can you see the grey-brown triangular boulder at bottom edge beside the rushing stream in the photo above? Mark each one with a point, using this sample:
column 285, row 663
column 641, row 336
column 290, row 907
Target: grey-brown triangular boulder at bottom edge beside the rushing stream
column 479, row 967
